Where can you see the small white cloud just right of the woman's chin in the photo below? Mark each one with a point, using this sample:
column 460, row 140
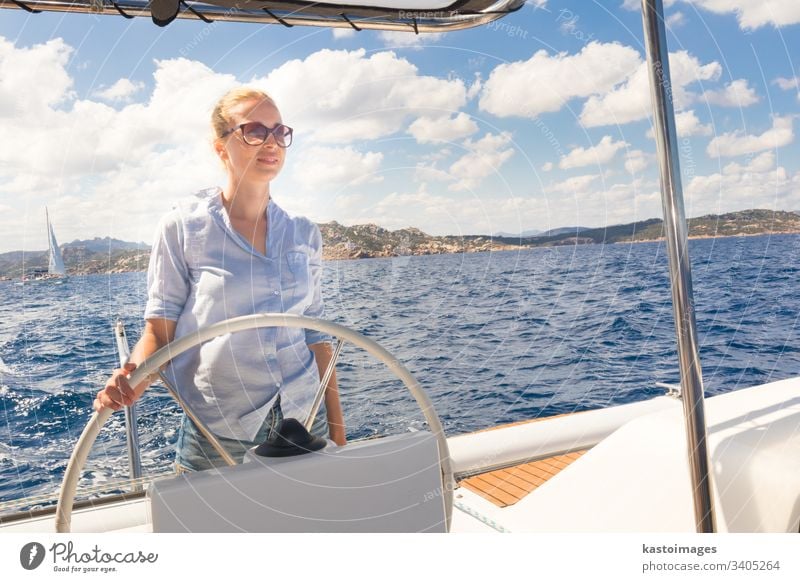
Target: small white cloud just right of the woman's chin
column 331, row 168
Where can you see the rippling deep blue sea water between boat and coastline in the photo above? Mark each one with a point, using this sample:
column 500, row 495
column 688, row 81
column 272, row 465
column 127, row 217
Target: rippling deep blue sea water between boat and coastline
column 493, row 338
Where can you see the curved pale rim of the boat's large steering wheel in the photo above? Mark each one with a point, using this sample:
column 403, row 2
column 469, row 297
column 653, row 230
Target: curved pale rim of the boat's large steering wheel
column 81, row 451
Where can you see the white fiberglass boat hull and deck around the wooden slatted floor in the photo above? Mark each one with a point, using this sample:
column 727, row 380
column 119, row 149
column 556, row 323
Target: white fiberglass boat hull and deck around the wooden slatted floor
column 634, row 479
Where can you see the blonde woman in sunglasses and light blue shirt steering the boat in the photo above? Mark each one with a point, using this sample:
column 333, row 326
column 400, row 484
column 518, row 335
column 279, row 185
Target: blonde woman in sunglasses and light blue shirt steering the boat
column 226, row 253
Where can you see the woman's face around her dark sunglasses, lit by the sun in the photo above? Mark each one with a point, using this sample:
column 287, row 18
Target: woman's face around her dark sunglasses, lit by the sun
column 246, row 162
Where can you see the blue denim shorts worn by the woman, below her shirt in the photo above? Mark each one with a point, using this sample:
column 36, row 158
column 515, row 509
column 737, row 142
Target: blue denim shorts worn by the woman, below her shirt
column 194, row 452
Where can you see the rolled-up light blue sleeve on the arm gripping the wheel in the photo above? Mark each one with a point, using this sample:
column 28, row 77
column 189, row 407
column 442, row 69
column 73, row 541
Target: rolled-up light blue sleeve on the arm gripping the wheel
column 167, row 275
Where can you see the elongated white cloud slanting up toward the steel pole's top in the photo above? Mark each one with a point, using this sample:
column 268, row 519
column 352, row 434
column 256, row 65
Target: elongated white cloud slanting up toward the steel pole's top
column 544, row 83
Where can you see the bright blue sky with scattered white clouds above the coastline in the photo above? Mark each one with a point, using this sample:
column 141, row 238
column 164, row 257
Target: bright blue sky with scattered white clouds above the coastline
column 536, row 121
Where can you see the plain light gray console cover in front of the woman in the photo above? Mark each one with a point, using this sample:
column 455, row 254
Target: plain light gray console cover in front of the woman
column 391, row 484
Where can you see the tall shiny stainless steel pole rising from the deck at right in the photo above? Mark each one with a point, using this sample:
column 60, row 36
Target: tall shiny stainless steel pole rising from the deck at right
column 676, row 232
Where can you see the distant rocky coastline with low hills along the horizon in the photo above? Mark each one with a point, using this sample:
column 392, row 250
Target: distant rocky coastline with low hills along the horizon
column 371, row 241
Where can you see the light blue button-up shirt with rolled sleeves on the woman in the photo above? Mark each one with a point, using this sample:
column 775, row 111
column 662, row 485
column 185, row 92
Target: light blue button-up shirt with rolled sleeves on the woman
column 202, row 272
